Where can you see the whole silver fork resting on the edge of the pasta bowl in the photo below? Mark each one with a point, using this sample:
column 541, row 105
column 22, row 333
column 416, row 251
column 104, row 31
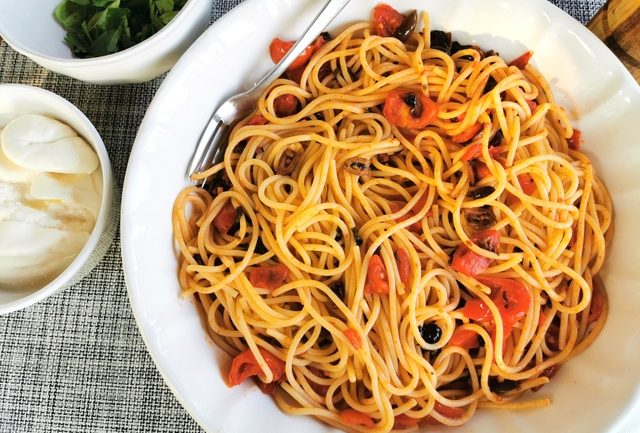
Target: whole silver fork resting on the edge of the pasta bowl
column 212, row 143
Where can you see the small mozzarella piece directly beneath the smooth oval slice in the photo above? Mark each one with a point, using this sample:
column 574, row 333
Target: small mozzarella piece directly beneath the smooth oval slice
column 72, row 189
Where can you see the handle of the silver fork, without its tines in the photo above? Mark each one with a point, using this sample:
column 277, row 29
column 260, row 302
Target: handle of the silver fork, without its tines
column 240, row 102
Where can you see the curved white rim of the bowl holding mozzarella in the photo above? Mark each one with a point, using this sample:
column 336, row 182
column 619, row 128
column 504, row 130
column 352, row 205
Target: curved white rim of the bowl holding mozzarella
column 101, row 221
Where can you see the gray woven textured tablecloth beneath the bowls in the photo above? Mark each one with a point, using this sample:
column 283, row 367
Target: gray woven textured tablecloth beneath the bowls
column 76, row 362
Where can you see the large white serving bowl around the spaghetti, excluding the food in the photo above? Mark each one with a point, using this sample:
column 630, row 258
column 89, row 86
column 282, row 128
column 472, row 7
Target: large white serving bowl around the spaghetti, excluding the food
column 596, row 392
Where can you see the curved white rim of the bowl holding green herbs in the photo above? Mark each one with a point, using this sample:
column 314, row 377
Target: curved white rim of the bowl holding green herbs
column 75, row 62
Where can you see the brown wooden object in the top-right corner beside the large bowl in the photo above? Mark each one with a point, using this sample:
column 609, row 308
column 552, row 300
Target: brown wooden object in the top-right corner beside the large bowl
column 618, row 25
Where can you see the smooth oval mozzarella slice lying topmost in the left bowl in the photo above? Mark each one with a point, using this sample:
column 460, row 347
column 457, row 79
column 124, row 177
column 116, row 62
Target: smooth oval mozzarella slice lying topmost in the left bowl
column 41, row 143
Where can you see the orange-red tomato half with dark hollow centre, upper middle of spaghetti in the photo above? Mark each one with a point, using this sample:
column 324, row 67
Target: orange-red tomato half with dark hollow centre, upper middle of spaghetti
column 409, row 109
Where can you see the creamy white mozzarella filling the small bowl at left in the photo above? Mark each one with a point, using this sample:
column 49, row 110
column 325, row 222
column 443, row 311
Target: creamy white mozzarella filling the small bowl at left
column 50, row 194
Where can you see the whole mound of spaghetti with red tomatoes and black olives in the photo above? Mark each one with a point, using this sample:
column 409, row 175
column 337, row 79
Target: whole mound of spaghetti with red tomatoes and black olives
column 402, row 232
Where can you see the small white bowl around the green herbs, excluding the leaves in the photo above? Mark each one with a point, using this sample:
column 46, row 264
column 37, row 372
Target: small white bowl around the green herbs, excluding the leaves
column 29, row 27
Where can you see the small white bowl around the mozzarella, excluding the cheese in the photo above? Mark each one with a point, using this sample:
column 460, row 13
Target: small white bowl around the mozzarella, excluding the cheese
column 20, row 99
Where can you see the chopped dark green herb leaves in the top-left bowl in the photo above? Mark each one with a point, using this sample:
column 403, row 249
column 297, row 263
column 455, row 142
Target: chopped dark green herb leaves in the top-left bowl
column 100, row 27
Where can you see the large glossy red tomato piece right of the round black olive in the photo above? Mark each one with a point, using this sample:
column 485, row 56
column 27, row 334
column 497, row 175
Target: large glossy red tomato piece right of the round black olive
column 511, row 296
